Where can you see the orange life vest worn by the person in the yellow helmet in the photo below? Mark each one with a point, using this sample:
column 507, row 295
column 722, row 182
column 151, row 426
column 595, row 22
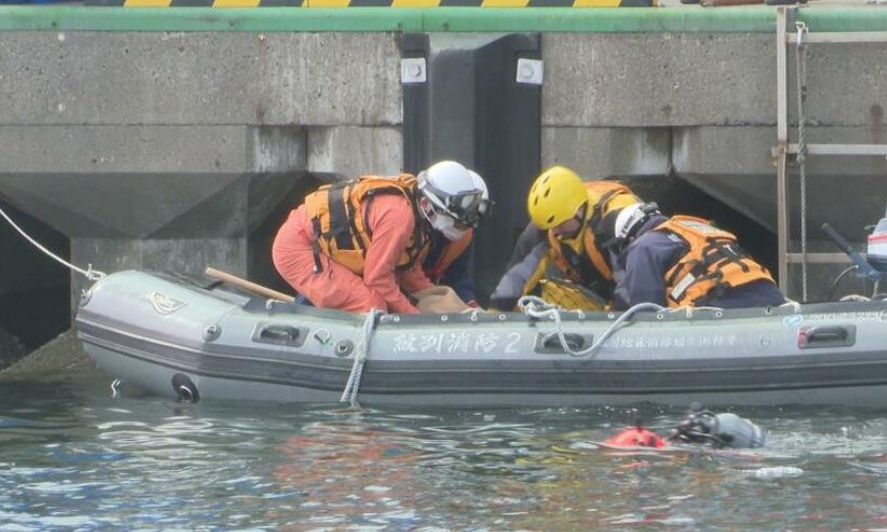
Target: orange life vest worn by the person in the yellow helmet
column 583, row 259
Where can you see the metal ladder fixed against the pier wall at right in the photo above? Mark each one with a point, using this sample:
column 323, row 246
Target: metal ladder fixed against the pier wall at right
column 784, row 37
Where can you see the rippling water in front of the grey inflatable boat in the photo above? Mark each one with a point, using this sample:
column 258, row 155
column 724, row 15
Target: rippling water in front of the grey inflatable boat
column 74, row 458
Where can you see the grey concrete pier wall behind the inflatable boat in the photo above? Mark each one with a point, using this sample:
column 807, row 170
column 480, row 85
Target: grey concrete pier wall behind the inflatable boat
column 174, row 139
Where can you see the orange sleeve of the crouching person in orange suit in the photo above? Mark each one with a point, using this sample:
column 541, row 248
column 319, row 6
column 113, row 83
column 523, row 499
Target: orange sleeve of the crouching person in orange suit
column 390, row 218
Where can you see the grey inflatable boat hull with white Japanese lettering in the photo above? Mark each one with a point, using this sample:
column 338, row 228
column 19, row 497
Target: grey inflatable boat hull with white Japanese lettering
column 158, row 333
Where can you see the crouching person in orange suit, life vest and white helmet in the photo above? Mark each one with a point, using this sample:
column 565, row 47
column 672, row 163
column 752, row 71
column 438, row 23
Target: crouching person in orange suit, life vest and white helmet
column 357, row 245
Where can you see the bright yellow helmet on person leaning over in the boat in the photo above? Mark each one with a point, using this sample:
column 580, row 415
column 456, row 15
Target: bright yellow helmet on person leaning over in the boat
column 555, row 197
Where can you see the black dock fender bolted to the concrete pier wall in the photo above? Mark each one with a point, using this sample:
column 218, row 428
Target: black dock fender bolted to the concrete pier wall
column 477, row 99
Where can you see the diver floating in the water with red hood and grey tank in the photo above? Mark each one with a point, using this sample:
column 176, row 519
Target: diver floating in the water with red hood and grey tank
column 701, row 426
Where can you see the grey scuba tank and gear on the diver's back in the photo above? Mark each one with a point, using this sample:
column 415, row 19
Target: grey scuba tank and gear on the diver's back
column 720, row 430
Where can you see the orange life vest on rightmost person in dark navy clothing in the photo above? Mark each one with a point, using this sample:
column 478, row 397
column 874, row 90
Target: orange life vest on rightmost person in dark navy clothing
column 714, row 261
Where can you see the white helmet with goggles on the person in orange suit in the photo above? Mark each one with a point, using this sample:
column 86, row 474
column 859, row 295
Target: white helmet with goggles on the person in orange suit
column 455, row 191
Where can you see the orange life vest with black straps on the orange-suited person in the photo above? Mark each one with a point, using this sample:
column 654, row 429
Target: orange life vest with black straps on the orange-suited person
column 338, row 217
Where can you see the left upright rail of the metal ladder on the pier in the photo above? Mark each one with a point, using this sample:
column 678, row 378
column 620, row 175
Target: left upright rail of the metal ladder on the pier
column 781, row 147
